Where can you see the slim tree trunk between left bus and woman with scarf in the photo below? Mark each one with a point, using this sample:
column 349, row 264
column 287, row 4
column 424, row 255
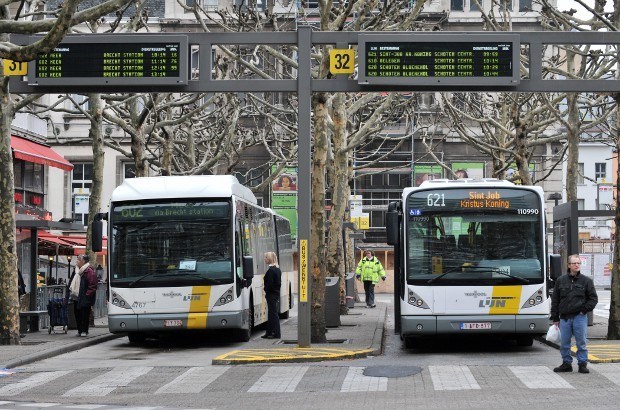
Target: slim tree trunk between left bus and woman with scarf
column 96, row 137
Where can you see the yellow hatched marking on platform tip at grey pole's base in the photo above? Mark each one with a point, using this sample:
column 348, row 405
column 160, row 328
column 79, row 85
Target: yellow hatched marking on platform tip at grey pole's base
column 289, row 354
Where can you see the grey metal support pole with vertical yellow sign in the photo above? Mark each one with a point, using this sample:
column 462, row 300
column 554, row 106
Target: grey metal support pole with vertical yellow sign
column 304, row 182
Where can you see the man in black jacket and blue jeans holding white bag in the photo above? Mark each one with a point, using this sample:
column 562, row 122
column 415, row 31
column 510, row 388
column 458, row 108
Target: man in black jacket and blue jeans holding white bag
column 573, row 297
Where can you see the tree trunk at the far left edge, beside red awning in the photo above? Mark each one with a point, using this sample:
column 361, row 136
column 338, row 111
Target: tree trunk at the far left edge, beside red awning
column 9, row 300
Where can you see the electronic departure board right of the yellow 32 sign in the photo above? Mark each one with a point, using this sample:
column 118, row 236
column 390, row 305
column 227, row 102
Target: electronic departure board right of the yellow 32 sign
column 439, row 59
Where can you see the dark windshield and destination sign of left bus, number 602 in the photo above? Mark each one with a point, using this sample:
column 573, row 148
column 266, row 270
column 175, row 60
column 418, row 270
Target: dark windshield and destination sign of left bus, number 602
column 171, row 244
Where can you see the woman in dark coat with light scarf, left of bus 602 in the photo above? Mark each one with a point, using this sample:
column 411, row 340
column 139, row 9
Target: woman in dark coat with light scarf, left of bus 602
column 84, row 284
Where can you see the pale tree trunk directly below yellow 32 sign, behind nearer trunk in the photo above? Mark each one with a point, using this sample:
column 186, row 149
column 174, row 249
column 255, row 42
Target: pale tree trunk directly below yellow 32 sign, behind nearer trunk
column 340, row 195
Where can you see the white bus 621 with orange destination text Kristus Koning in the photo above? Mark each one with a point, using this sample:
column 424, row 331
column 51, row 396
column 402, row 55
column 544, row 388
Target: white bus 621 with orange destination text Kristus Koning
column 470, row 258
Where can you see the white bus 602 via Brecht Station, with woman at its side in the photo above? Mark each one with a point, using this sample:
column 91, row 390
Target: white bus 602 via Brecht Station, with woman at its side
column 187, row 253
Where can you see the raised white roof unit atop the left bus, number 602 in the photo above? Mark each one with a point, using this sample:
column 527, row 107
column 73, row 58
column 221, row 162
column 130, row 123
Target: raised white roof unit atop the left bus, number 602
column 193, row 186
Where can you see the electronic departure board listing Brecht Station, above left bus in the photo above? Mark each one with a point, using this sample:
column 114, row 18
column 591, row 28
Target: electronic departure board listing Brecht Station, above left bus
column 113, row 60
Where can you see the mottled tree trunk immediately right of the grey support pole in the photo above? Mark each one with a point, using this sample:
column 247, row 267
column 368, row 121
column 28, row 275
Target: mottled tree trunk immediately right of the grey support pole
column 317, row 228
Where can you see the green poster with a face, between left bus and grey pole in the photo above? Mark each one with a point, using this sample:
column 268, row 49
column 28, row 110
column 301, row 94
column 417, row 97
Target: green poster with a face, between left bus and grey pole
column 284, row 196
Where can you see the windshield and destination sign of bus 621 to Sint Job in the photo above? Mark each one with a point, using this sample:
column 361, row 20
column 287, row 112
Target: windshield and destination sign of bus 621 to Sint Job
column 468, row 236
